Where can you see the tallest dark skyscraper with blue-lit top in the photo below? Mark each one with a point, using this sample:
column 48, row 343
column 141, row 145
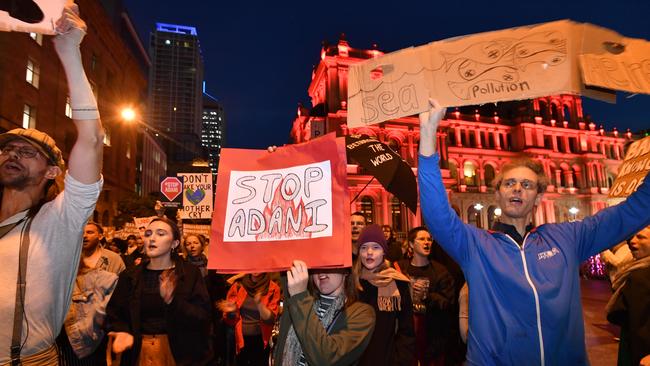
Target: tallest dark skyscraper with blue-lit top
column 175, row 93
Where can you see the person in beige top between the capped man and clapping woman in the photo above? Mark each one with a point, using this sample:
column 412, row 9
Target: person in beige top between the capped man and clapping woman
column 82, row 341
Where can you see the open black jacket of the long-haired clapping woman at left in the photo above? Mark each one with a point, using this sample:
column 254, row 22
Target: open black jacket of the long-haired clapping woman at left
column 187, row 316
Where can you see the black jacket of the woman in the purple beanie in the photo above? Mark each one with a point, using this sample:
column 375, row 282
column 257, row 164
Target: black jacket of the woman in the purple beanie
column 393, row 341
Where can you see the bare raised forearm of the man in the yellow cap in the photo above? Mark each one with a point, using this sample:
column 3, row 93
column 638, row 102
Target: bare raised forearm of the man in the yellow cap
column 85, row 160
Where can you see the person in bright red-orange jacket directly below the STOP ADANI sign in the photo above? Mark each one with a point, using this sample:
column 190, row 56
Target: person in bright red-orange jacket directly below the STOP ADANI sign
column 251, row 307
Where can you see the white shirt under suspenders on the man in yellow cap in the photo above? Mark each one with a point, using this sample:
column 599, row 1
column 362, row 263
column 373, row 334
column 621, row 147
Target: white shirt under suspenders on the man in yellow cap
column 54, row 249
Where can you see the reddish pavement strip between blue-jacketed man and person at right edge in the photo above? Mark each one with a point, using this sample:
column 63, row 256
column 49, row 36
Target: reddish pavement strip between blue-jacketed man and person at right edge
column 599, row 334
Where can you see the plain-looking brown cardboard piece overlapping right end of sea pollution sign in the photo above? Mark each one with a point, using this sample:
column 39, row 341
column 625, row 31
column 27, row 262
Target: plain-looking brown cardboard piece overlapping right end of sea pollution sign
column 622, row 64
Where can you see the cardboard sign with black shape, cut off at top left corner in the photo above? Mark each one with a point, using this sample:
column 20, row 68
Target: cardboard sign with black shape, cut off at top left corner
column 37, row 16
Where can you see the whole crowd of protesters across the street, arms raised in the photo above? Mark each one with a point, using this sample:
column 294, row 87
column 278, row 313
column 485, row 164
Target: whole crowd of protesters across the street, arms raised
column 510, row 294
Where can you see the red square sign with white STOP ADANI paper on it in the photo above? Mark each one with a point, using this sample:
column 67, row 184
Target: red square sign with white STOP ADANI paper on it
column 277, row 207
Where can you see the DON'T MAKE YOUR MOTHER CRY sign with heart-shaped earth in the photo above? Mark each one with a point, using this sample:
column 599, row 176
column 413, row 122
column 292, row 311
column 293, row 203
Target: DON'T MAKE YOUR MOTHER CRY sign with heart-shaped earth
column 197, row 195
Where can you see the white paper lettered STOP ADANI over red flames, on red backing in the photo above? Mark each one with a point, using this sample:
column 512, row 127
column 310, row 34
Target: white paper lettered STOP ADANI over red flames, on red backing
column 282, row 204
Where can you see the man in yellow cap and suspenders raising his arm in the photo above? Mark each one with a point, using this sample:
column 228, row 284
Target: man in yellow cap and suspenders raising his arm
column 44, row 227
